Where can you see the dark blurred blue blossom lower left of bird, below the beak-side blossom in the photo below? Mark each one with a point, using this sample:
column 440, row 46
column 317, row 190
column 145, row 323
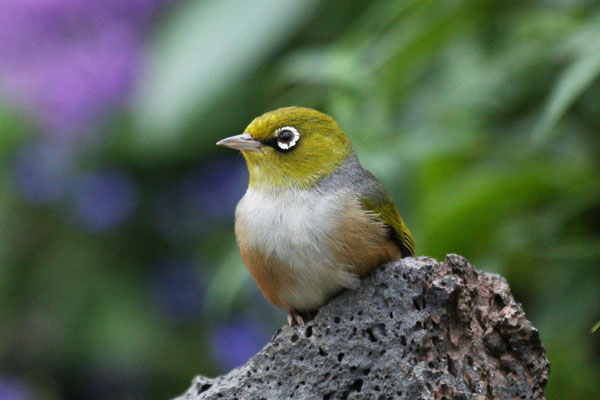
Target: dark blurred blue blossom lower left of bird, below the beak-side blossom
column 177, row 288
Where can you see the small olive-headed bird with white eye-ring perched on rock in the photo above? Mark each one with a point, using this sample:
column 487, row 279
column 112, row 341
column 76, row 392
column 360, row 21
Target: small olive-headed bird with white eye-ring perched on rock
column 313, row 220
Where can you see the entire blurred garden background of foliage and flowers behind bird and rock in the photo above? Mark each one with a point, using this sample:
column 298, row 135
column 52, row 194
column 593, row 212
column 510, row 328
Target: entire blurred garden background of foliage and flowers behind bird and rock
column 119, row 274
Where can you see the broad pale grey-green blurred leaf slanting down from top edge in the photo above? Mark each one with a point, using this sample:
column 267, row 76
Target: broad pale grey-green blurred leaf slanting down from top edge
column 204, row 50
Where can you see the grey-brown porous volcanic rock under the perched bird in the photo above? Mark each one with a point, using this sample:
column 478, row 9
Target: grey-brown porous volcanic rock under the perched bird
column 415, row 329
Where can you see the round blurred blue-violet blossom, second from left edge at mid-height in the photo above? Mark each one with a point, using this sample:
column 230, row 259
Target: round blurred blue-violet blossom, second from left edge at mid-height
column 104, row 199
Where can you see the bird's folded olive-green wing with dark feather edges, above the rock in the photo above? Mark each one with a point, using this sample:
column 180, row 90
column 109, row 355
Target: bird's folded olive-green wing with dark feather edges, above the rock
column 382, row 206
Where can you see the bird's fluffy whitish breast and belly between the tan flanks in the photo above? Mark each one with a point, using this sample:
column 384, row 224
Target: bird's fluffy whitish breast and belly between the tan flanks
column 295, row 226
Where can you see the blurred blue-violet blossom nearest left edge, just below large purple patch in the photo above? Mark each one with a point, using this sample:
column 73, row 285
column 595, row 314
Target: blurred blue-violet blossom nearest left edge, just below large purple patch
column 43, row 172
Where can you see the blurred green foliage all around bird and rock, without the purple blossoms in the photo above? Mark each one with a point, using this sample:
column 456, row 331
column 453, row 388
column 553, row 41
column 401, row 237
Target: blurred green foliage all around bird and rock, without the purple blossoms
column 479, row 117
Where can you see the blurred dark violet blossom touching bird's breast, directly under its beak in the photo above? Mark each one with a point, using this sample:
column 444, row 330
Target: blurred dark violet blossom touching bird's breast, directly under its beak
column 198, row 201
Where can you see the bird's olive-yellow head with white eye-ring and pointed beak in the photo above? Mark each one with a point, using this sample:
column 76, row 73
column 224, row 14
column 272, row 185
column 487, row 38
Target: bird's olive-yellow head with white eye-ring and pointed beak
column 291, row 146
